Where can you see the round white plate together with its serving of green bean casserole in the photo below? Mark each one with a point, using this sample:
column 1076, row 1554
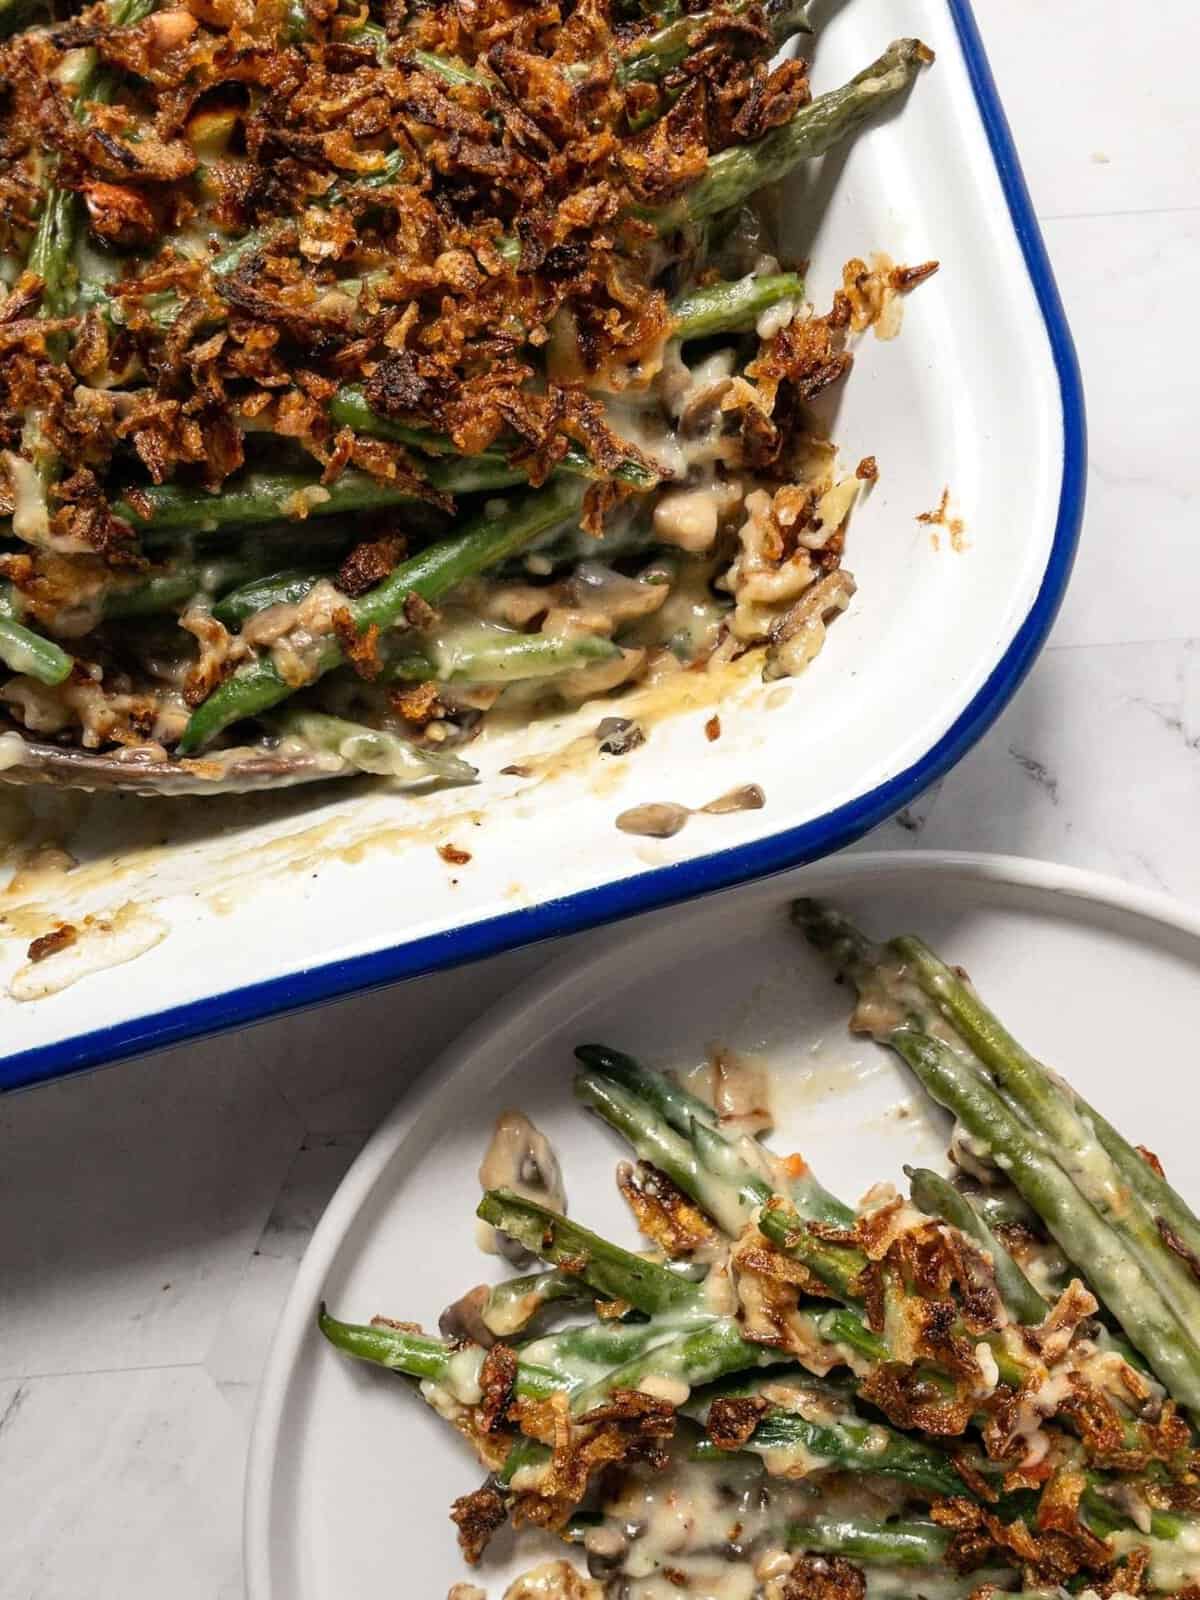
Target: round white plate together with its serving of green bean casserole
column 836, row 1406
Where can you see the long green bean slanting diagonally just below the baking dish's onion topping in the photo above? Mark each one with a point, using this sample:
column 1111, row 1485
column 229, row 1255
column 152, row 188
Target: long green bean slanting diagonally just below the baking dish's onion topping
column 431, row 575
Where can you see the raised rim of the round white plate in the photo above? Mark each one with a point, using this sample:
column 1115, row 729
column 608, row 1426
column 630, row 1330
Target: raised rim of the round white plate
column 455, row 1065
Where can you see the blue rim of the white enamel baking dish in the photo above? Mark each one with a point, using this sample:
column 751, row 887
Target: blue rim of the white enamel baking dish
column 722, row 870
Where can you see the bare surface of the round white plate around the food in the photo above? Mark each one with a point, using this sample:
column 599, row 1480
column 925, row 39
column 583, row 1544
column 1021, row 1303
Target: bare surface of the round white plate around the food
column 351, row 1478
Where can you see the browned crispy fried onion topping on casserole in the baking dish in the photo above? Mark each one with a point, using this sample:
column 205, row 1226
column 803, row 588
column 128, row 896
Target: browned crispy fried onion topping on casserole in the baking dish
column 390, row 228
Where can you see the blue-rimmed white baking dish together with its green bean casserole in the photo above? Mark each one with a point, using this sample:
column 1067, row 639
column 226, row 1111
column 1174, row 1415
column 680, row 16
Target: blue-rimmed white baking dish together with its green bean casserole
column 591, row 559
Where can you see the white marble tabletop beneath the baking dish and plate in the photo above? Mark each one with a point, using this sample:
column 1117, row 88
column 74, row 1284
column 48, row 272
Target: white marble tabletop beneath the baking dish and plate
column 153, row 1217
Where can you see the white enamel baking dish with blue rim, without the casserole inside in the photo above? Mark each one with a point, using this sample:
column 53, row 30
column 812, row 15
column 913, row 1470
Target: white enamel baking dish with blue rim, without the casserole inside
column 276, row 902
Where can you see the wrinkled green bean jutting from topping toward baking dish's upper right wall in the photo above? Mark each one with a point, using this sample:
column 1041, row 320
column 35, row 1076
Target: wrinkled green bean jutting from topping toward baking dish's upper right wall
column 738, row 172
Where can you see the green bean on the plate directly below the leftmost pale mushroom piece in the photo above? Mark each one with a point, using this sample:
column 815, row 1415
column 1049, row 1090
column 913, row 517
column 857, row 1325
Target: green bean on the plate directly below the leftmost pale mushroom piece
column 604, row 1266
